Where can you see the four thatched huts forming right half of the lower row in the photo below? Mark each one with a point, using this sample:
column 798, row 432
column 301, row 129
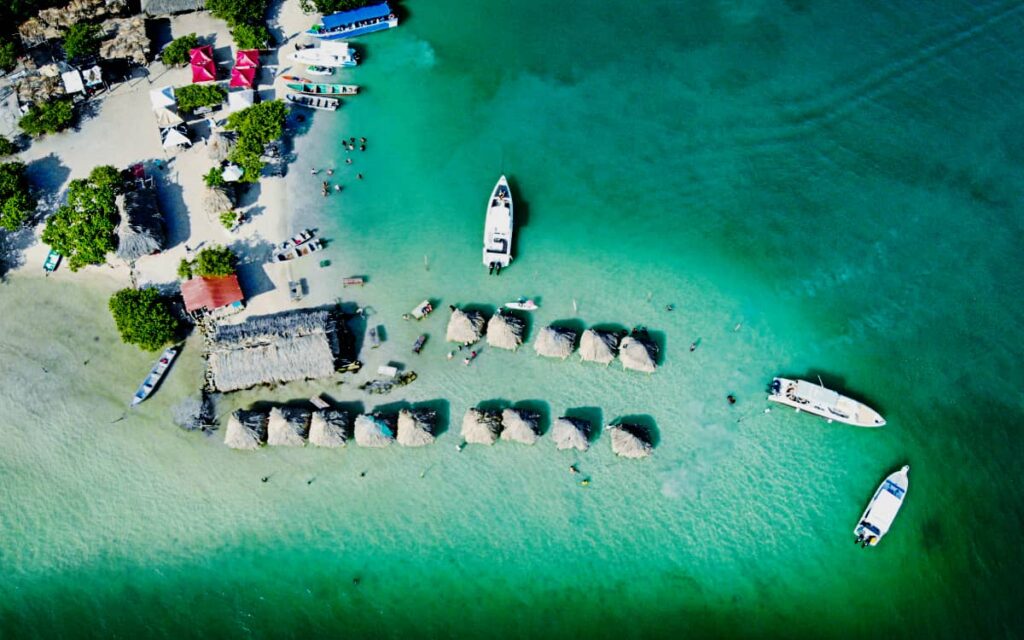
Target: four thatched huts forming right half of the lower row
column 482, row 426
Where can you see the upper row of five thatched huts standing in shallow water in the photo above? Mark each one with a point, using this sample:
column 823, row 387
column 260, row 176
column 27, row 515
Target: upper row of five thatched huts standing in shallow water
column 505, row 331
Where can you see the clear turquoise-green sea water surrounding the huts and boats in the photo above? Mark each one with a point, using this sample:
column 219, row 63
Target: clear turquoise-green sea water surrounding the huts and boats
column 843, row 182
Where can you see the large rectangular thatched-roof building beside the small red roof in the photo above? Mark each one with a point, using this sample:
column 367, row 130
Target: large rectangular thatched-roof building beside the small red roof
column 272, row 350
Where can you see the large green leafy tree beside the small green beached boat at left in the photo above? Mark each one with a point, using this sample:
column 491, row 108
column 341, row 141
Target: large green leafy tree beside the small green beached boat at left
column 83, row 230
